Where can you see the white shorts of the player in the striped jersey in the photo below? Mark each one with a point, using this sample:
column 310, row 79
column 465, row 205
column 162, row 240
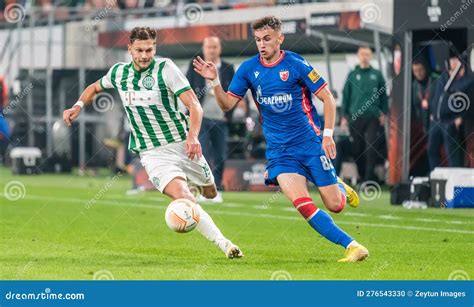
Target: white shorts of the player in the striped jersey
column 167, row 162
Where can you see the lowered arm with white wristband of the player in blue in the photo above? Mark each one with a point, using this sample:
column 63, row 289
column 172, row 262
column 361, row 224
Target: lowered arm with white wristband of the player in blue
column 327, row 98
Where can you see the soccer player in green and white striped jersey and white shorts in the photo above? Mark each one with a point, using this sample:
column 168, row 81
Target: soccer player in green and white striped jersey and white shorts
column 166, row 140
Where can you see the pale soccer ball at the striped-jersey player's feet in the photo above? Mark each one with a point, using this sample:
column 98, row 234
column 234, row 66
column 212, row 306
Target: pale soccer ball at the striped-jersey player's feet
column 182, row 215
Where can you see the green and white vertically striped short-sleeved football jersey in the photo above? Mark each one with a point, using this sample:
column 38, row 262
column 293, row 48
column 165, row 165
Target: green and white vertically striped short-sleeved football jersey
column 150, row 99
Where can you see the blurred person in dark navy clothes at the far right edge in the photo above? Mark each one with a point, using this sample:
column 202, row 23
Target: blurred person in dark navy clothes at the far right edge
column 447, row 112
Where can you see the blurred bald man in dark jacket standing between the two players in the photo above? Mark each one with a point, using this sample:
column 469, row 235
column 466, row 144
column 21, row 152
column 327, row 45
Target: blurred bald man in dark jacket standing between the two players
column 214, row 129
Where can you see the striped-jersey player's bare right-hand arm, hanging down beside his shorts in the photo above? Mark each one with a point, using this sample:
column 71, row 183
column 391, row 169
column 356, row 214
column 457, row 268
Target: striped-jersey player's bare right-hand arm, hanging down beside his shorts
column 191, row 102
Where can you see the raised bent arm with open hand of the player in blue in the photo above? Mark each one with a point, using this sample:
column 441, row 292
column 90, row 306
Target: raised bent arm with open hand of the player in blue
column 208, row 70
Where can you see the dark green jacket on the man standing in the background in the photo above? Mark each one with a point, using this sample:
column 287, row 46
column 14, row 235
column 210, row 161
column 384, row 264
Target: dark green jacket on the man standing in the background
column 364, row 94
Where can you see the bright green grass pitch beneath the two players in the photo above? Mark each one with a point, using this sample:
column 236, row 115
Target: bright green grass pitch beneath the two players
column 69, row 227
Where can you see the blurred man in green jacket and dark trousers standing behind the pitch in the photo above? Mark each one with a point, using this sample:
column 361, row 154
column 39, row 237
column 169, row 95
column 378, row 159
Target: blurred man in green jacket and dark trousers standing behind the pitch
column 364, row 105
